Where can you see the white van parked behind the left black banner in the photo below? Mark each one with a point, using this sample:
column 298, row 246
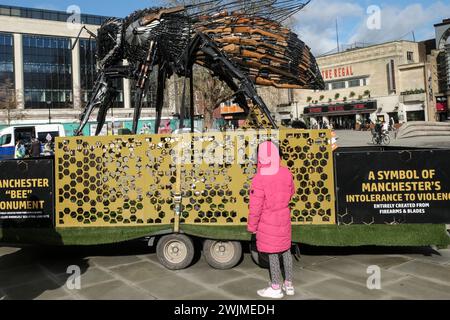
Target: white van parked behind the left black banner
column 10, row 135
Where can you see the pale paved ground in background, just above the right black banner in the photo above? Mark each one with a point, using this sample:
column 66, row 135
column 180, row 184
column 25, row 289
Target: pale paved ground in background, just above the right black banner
column 349, row 138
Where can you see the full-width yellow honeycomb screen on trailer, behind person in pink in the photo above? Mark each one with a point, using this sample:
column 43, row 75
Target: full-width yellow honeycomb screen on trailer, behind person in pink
column 131, row 180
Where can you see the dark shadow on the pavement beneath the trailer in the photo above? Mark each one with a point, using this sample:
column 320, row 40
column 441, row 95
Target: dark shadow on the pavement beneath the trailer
column 31, row 272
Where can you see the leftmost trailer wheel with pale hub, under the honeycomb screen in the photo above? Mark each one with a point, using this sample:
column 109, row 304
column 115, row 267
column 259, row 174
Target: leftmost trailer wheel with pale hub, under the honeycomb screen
column 175, row 251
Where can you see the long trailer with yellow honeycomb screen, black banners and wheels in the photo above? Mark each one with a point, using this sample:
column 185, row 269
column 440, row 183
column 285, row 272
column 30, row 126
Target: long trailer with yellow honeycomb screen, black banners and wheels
column 169, row 189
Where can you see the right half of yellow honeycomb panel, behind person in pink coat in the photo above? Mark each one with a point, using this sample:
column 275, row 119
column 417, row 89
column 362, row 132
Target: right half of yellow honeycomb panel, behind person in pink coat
column 218, row 193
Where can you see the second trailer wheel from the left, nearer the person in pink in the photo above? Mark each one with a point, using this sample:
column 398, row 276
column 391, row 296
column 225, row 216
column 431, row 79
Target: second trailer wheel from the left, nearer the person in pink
column 222, row 254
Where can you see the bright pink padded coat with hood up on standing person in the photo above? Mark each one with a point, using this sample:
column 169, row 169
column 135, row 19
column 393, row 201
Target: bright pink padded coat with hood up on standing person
column 271, row 191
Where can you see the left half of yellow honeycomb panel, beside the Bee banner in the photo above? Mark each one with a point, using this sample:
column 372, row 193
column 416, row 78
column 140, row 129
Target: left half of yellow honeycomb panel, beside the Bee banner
column 111, row 181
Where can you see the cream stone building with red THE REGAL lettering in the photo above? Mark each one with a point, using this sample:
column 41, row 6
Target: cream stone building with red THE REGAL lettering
column 384, row 82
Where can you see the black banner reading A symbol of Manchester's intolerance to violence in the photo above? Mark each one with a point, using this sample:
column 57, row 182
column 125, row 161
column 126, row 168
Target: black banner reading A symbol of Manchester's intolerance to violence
column 393, row 187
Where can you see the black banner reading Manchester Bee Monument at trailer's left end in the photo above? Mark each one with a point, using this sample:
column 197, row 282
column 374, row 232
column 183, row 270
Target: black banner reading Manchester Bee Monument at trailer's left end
column 26, row 192
